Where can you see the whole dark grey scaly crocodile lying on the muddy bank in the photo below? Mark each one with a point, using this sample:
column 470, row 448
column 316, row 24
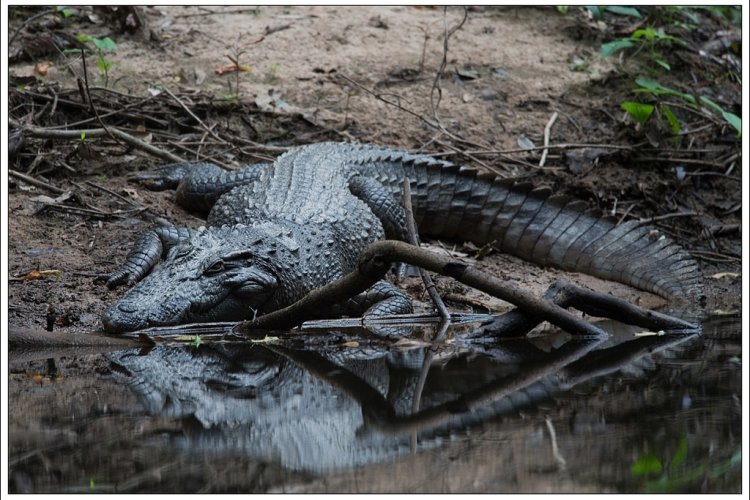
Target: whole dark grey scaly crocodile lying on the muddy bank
column 277, row 231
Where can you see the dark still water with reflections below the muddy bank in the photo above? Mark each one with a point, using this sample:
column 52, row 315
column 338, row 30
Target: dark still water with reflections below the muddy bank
column 553, row 414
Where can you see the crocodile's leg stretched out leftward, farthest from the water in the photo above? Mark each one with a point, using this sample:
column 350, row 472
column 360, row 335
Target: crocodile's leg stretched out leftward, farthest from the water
column 198, row 184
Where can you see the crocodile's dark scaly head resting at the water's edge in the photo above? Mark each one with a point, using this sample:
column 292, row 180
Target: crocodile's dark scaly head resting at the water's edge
column 220, row 274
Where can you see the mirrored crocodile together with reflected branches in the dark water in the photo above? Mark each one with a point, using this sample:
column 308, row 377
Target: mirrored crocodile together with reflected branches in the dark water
column 325, row 411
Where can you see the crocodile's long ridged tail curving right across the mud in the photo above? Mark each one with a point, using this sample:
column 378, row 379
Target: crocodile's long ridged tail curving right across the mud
column 533, row 224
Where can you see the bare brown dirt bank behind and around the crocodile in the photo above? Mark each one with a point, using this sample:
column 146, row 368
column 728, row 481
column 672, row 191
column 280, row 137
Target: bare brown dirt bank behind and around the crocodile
column 314, row 73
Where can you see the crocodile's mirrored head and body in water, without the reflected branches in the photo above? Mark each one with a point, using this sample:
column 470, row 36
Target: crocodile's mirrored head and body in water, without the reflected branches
column 253, row 399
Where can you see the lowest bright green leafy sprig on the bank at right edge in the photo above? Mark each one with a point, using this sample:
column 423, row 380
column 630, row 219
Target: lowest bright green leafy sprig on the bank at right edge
column 642, row 112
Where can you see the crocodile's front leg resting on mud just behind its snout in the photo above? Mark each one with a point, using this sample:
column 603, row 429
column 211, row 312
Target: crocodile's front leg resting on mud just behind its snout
column 147, row 251
